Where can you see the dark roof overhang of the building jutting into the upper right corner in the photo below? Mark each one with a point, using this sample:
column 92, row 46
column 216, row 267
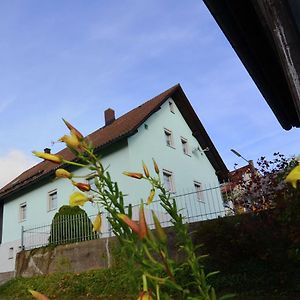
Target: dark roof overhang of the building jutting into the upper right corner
column 265, row 34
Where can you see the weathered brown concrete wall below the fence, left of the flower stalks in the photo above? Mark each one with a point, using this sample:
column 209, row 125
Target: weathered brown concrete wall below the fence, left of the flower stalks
column 76, row 257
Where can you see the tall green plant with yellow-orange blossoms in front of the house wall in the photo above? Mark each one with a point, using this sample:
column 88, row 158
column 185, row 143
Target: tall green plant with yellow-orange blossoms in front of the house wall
column 148, row 250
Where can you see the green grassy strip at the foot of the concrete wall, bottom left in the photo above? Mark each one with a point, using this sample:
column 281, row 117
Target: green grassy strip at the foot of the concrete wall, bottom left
column 96, row 284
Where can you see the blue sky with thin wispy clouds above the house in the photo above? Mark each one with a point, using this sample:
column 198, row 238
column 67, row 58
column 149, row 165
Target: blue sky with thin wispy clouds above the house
column 74, row 59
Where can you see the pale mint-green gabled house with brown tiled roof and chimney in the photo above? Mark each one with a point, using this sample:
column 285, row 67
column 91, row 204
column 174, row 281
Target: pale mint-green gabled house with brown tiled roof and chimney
column 165, row 128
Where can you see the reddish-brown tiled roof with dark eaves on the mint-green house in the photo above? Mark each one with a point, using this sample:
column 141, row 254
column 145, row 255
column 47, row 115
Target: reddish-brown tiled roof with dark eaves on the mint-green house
column 121, row 128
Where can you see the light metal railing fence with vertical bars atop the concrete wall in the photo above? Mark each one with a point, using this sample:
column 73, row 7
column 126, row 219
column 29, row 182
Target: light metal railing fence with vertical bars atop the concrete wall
column 194, row 206
